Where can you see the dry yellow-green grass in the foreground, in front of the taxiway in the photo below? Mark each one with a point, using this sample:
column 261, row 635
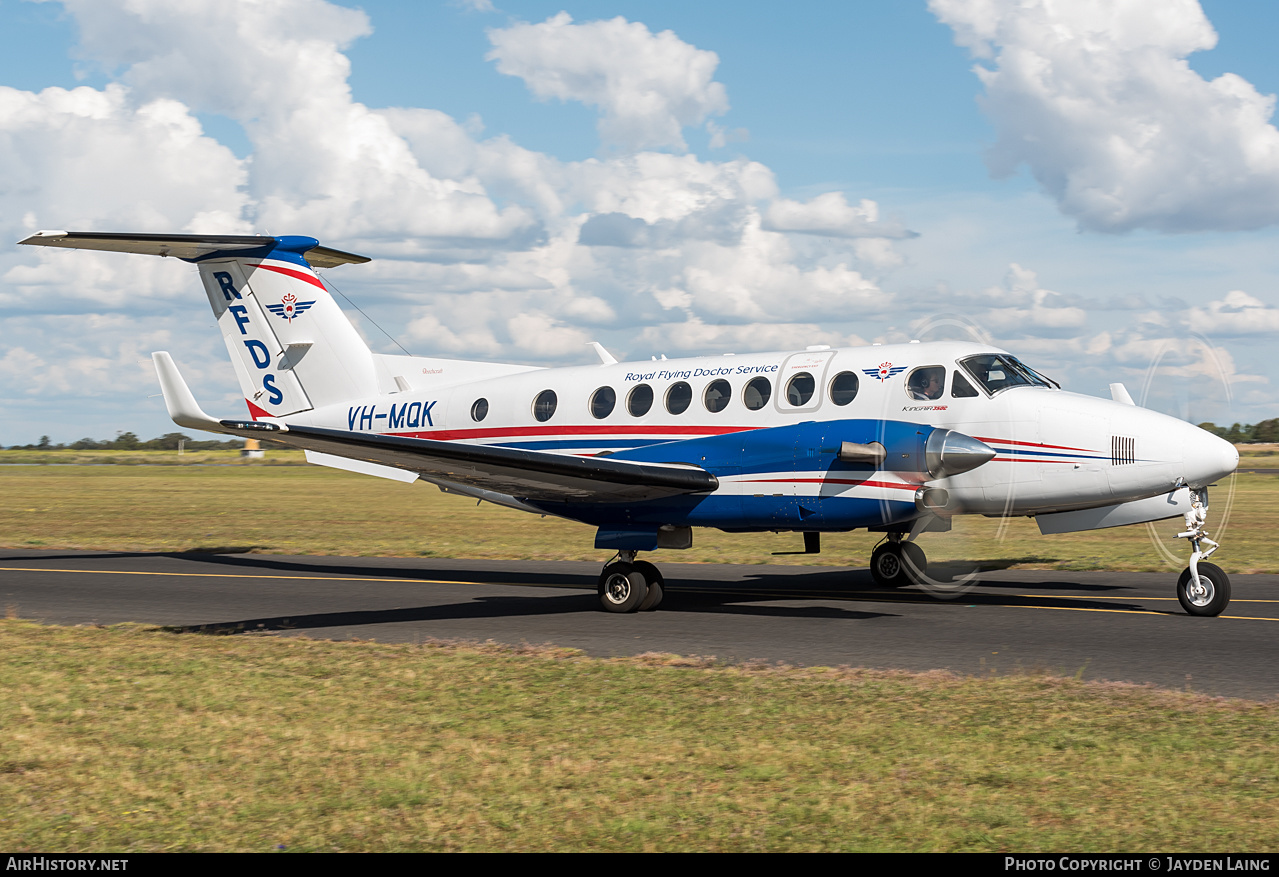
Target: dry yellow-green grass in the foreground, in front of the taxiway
column 134, row 740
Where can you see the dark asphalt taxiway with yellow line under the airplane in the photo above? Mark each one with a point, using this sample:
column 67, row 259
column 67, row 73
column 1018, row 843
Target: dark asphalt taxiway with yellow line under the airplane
column 1126, row 627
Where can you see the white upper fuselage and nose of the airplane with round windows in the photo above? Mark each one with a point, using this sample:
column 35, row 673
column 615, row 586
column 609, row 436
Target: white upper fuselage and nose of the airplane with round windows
column 1056, row 451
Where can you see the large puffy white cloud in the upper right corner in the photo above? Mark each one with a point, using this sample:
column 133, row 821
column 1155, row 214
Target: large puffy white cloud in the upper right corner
column 1095, row 98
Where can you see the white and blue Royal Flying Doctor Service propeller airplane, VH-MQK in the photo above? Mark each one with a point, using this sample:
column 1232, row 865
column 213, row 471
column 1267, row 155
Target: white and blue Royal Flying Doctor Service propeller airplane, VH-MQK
column 897, row 439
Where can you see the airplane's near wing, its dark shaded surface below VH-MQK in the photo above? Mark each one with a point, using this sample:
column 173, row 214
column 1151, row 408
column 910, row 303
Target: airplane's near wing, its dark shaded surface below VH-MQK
column 525, row 475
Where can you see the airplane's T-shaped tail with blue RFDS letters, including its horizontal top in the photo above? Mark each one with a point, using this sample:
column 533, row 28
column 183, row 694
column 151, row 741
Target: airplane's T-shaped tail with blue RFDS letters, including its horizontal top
column 292, row 346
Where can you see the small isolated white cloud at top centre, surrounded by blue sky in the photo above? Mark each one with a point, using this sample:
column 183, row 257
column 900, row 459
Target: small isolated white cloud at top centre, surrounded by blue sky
column 649, row 86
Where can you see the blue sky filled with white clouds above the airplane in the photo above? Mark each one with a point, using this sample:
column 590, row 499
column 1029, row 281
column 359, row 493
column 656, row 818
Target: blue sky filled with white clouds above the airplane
column 1092, row 185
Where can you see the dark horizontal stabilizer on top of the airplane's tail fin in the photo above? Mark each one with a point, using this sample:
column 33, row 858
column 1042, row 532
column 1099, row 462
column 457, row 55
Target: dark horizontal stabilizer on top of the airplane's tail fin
column 184, row 246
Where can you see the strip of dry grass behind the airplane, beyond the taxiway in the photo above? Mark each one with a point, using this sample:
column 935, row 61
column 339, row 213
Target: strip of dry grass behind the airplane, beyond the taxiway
column 217, row 502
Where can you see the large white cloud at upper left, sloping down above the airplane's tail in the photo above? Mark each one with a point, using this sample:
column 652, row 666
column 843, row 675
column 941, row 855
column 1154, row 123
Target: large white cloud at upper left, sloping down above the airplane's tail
column 322, row 160
